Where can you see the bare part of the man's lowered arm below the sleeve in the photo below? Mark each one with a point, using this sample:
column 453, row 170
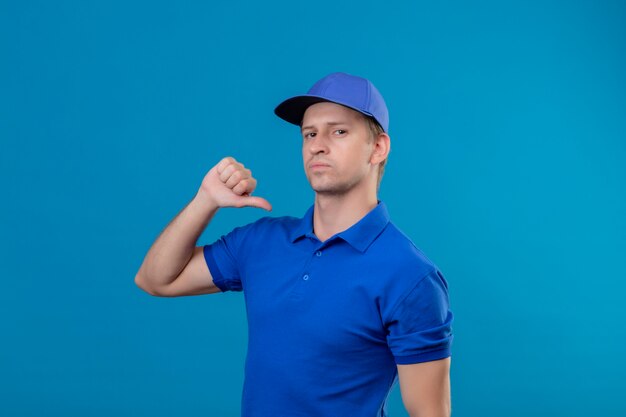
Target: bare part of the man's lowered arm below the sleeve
column 425, row 388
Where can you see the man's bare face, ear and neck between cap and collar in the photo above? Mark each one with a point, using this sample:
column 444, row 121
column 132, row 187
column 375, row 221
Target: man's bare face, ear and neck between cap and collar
column 345, row 189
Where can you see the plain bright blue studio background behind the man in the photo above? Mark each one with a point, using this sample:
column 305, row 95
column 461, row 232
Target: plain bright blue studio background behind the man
column 508, row 168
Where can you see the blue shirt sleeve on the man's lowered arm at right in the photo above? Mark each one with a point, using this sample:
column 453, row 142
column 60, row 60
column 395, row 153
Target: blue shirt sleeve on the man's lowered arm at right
column 419, row 327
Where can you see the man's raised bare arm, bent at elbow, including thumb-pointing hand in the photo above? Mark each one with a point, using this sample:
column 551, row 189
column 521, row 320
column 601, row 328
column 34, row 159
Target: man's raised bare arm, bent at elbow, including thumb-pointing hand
column 174, row 266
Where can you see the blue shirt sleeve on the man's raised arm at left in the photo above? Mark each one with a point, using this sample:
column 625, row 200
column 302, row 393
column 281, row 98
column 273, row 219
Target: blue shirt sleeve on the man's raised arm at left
column 222, row 258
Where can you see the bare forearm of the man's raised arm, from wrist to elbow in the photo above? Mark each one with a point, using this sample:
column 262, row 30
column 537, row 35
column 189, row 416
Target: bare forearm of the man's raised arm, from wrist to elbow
column 172, row 250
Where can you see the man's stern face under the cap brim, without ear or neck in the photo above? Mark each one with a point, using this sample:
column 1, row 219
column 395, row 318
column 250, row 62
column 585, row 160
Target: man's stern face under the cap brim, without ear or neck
column 335, row 148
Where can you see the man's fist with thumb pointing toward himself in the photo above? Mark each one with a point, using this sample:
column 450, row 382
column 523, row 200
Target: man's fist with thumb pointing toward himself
column 229, row 184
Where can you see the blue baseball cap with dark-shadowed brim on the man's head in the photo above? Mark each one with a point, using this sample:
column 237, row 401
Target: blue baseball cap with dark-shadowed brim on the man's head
column 348, row 90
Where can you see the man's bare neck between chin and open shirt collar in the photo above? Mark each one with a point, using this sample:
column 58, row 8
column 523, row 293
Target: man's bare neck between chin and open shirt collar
column 335, row 213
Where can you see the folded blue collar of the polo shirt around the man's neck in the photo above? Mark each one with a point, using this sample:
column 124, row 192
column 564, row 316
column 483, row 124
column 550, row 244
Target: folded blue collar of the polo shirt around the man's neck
column 360, row 235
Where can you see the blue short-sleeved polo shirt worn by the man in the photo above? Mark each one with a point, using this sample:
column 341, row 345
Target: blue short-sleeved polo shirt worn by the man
column 329, row 321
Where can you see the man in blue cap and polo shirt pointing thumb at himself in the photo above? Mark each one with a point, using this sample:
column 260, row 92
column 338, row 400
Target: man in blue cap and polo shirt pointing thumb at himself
column 340, row 303
